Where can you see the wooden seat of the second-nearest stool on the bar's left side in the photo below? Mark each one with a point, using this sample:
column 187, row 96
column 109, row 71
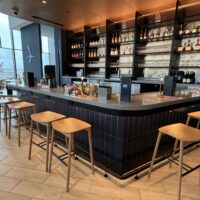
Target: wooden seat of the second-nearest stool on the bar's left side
column 46, row 117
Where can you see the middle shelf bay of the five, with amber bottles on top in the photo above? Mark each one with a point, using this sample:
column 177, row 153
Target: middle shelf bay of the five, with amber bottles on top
column 120, row 56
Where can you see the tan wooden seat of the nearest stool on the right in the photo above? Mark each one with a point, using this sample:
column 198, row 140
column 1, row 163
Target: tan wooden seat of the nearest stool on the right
column 181, row 132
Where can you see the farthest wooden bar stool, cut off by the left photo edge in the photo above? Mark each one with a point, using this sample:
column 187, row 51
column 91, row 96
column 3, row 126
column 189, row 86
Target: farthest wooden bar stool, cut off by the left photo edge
column 4, row 101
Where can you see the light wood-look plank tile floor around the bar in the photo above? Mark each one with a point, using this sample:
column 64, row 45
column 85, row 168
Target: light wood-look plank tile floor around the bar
column 21, row 179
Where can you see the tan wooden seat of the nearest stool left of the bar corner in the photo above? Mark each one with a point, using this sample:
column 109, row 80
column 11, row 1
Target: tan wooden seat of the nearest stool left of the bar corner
column 70, row 125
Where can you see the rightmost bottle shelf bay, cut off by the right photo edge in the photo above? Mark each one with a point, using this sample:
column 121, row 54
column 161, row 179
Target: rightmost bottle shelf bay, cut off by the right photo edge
column 186, row 60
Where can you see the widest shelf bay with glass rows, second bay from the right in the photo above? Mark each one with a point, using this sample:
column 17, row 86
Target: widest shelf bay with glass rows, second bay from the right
column 153, row 45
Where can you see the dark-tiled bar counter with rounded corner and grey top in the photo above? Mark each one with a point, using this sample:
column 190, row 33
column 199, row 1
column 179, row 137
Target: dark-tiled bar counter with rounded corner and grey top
column 124, row 134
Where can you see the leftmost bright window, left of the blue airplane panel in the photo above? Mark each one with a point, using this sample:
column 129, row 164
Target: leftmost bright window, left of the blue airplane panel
column 11, row 57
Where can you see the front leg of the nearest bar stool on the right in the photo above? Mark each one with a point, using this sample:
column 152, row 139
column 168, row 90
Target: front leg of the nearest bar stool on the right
column 180, row 170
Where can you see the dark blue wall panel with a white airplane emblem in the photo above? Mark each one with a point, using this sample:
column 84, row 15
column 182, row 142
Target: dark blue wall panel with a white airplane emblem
column 31, row 45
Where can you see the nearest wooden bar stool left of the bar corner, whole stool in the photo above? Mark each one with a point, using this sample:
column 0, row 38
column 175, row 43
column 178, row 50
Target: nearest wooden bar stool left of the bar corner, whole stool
column 69, row 127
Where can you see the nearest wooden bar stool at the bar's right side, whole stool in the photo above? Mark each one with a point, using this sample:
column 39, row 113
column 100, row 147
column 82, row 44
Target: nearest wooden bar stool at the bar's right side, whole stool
column 183, row 133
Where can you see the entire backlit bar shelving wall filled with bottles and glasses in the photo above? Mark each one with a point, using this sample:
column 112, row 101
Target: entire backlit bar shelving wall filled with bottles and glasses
column 139, row 46
